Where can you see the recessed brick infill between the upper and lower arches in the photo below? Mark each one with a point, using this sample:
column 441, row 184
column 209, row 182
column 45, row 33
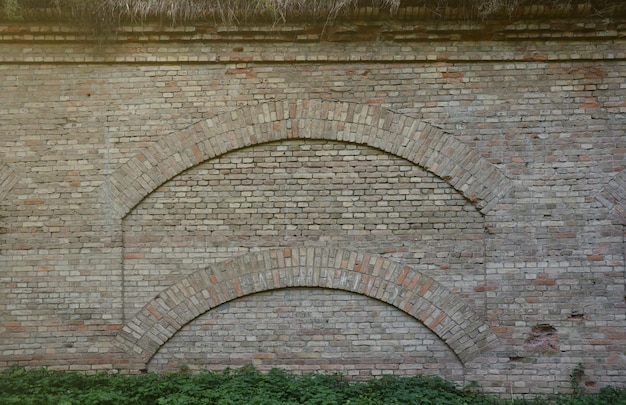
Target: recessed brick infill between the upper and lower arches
column 302, row 193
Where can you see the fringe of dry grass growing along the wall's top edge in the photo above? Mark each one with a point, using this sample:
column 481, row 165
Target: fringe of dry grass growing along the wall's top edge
column 101, row 18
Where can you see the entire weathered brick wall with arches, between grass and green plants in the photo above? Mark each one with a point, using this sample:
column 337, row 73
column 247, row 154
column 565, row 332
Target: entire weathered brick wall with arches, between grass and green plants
column 375, row 197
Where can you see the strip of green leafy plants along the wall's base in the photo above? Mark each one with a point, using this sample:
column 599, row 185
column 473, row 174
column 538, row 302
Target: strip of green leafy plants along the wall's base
column 249, row 386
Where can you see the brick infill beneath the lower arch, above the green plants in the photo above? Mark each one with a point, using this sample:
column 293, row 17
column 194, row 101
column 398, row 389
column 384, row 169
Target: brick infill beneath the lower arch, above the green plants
column 310, row 330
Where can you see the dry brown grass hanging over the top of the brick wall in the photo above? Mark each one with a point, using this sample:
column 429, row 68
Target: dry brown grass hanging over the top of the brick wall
column 104, row 15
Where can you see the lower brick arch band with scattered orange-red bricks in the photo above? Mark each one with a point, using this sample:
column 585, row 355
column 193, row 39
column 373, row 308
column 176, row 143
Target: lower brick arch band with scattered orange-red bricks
column 421, row 297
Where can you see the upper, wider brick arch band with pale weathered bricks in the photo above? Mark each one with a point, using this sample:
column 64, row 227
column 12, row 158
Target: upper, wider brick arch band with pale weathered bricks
column 416, row 141
